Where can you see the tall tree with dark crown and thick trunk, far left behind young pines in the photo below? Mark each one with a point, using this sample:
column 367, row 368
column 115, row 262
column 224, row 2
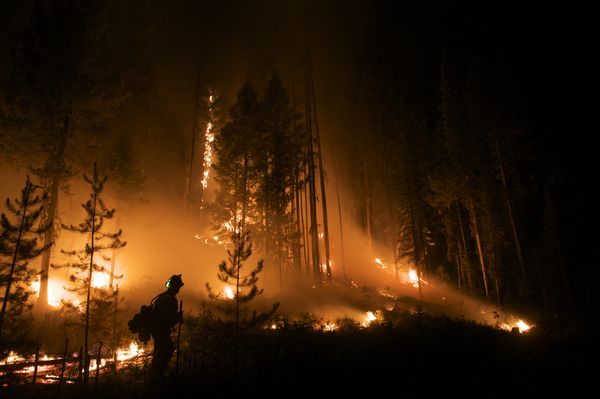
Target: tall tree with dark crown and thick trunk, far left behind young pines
column 58, row 93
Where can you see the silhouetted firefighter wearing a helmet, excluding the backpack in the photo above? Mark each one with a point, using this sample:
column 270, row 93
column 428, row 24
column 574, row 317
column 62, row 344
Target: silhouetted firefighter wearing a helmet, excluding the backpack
column 165, row 316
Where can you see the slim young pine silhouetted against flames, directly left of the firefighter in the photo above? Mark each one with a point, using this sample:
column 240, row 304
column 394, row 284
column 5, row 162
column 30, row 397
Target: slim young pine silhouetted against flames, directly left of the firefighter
column 97, row 294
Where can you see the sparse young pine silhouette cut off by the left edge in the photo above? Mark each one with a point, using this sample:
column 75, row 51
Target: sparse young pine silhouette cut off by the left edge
column 19, row 243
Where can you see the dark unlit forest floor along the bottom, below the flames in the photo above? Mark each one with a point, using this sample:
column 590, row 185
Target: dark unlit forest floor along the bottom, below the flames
column 416, row 354
